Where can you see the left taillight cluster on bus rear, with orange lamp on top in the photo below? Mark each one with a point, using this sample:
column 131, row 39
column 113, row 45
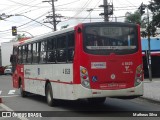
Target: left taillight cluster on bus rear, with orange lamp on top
column 84, row 77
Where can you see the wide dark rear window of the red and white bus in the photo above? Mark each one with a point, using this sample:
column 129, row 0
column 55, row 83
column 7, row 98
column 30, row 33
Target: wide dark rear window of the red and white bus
column 110, row 39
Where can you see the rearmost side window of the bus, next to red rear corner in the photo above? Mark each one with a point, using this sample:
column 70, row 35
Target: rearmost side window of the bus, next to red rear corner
column 71, row 46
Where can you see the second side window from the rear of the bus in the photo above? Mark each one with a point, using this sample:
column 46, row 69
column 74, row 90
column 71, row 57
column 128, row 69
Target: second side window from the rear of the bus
column 61, row 49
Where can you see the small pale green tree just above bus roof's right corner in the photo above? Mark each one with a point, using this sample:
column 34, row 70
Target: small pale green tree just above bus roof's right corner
column 134, row 18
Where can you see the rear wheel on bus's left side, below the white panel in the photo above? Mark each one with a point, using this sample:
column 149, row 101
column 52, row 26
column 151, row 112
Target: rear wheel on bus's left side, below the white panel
column 49, row 95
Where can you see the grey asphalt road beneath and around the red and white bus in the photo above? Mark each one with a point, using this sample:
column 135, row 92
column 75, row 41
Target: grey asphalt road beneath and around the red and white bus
column 67, row 109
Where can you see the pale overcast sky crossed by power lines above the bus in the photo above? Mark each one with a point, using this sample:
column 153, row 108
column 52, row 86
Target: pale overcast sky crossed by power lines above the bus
column 24, row 13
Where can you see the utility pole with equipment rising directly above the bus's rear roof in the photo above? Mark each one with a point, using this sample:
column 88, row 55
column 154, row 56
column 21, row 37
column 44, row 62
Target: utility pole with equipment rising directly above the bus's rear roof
column 108, row 10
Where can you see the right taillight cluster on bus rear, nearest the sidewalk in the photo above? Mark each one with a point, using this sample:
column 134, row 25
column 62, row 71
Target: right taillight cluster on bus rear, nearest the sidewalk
column 139, row 75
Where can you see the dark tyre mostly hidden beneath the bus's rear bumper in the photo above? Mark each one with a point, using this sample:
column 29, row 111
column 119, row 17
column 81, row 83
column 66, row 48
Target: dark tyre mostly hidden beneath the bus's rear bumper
column 96, row 100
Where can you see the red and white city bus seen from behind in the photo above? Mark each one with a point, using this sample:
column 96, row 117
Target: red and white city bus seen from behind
column 90, row 60
